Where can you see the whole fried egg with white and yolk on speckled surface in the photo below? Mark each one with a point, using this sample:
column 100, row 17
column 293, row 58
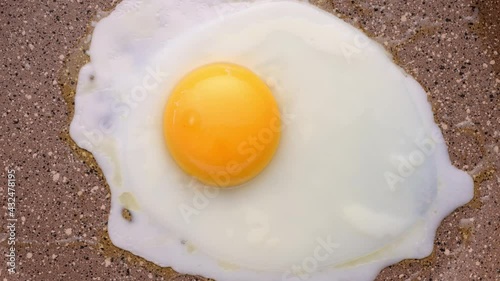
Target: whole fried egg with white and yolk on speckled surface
column 261, row 140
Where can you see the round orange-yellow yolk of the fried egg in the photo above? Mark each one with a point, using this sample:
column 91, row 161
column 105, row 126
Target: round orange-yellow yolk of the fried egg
column 222, row 124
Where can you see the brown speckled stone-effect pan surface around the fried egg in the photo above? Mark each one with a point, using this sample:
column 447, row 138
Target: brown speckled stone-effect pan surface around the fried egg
column 451, row 47
